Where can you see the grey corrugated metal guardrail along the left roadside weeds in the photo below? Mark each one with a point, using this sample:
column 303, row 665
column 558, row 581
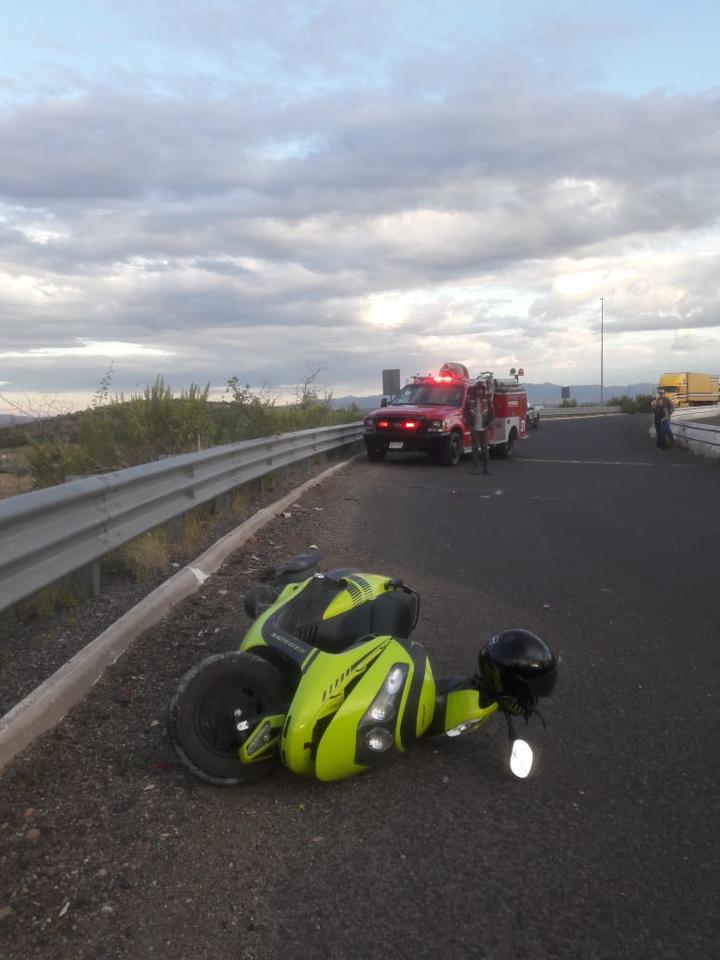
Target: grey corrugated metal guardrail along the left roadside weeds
column 48, row 534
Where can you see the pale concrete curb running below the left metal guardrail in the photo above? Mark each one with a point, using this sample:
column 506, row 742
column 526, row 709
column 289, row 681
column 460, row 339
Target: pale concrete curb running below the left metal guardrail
column 42, row 709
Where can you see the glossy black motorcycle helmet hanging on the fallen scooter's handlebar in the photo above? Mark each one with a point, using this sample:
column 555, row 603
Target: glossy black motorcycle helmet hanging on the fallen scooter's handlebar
column 517, row 664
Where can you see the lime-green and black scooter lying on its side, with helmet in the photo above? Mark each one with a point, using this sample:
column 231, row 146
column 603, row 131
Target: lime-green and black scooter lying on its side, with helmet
column 328, row 681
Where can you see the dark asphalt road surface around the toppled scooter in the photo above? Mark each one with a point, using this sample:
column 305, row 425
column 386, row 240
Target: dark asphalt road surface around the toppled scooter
column 606, row 546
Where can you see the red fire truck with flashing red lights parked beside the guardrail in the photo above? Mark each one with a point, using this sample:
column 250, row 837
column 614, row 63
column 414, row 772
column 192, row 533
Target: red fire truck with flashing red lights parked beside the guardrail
column 427, row 415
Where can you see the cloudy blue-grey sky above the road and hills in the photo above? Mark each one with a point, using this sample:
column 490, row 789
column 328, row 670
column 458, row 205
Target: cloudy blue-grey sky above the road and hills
column 266, row 188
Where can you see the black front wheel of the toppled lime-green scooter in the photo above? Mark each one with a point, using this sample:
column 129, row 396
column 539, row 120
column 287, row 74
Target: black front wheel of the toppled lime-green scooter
column 201, row 721
